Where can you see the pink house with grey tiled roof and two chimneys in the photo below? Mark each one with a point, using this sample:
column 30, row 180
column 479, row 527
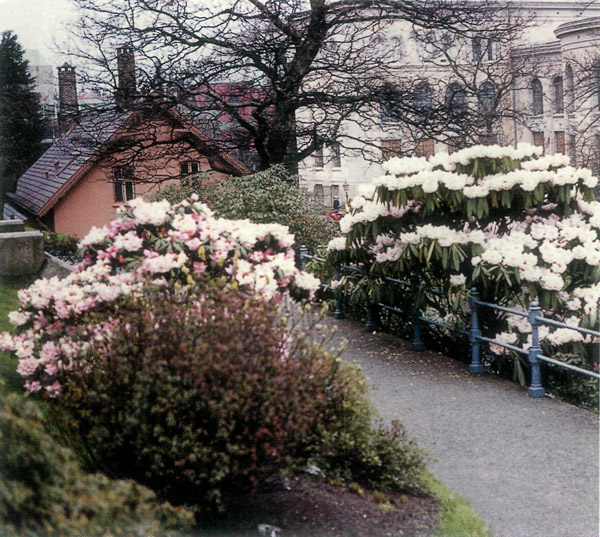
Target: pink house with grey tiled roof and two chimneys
column 105, row 159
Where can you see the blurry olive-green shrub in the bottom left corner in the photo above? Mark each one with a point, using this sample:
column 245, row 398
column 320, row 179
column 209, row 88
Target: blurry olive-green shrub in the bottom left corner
column 43, row 491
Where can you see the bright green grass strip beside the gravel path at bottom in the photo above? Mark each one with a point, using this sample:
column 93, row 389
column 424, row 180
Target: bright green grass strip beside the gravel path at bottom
column 457, row 518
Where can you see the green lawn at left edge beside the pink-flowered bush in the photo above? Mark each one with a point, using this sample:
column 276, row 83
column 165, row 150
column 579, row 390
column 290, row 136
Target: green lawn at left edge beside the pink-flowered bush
column 10, row 380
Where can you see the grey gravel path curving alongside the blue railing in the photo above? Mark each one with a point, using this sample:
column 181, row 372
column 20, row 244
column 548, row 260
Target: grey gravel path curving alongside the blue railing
column 528, row 467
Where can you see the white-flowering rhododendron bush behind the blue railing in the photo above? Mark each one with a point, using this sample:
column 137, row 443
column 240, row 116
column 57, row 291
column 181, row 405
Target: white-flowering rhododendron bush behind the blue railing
column 515, row 224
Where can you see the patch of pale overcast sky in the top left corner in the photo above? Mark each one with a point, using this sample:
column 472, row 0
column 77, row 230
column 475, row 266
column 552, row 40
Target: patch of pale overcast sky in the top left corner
column 39, row 24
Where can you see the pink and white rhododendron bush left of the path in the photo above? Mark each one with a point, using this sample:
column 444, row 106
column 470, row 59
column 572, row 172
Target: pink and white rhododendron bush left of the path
column 147, row 245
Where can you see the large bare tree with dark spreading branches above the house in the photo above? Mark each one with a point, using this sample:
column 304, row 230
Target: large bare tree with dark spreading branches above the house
column 280, row 79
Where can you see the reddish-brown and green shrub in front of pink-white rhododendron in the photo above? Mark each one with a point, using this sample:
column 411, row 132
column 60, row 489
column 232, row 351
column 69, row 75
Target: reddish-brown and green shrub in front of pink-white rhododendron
column 201, row 394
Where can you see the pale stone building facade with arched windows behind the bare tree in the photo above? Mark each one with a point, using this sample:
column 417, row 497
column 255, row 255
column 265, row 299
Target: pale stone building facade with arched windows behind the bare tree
column 556, row 105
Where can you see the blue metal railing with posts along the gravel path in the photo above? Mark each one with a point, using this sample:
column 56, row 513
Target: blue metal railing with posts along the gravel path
column 534, row 316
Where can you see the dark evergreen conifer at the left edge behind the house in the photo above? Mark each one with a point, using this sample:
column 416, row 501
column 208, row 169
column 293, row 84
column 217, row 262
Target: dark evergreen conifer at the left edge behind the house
column 21, row 123
